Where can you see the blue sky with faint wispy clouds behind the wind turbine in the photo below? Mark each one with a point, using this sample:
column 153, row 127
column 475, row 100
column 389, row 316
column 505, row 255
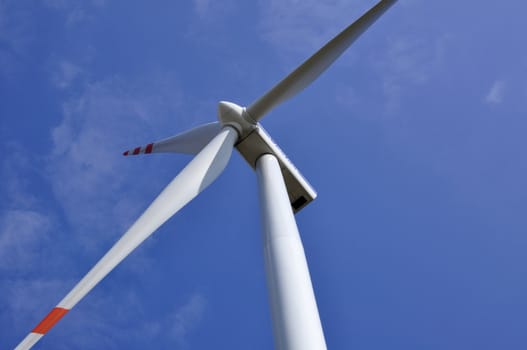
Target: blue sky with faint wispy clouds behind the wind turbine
column 414, row 139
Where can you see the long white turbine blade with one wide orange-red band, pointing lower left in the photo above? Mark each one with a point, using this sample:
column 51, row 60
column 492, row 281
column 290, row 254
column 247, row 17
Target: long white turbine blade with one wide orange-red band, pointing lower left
column 193, row 179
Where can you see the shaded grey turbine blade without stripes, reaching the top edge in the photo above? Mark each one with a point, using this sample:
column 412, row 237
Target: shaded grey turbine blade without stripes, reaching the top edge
column 308, row 71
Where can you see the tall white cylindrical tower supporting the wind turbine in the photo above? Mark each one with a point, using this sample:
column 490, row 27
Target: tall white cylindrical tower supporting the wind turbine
column 296, row 323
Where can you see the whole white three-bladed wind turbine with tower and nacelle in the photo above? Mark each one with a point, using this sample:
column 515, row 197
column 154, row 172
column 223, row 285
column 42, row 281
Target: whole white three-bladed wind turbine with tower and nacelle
column 283, row 191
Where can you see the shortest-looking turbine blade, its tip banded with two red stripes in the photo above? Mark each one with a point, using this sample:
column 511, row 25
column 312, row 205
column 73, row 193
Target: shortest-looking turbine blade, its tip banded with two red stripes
column 189, row 142
